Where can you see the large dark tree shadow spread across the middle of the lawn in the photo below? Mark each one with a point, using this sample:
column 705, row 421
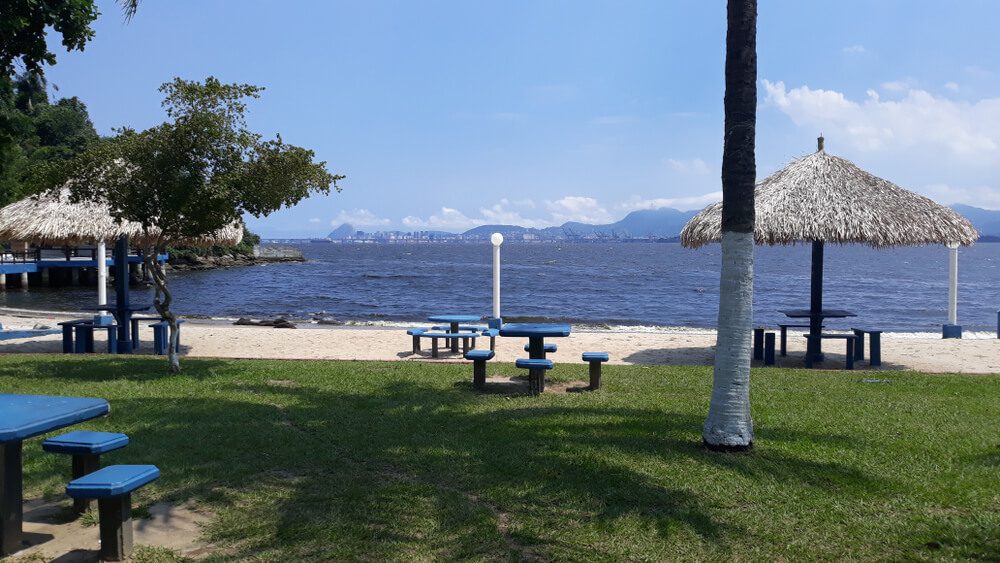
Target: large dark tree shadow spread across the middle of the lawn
column 403, row 469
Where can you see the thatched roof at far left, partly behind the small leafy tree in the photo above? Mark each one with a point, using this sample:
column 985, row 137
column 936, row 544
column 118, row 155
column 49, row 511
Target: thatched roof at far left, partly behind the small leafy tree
column 52, row 218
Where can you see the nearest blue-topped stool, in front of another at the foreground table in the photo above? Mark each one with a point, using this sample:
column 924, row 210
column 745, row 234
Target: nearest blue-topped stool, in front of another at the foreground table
column 112, row 488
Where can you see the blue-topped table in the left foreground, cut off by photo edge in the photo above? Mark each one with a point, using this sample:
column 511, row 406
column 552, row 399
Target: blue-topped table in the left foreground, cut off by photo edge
column 23, row 417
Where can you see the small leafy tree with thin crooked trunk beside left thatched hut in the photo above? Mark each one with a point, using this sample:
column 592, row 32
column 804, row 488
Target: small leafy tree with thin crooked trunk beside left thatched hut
column 191, row 176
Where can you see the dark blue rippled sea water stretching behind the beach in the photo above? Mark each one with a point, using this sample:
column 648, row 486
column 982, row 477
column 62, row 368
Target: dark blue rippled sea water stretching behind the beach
column 633, row 284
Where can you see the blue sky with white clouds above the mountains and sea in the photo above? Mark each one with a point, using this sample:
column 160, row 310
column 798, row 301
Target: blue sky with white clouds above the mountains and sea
column 447, row 115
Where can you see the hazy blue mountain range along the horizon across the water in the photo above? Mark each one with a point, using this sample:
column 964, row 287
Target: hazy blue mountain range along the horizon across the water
column 653, row 223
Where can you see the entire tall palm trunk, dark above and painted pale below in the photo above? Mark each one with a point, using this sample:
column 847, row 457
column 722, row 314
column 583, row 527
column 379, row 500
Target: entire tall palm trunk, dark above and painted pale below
column 729, row 426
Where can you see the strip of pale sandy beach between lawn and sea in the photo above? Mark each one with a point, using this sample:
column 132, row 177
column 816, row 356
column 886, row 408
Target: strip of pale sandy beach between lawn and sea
column 977, row 353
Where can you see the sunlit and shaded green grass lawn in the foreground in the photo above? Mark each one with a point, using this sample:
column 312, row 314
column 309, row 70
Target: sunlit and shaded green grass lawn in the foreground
column 347, row 460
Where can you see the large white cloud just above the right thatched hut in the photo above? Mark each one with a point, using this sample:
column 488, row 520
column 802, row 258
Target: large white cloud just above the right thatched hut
column 969, row 131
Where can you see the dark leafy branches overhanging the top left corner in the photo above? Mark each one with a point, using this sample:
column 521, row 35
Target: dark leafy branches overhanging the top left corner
column 24, row 25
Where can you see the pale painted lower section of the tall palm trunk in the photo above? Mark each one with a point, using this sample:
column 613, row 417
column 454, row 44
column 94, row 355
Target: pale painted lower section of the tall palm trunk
column 729, row 425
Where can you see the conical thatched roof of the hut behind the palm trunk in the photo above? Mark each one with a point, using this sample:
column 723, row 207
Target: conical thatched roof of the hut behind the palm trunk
column 827, row 198
